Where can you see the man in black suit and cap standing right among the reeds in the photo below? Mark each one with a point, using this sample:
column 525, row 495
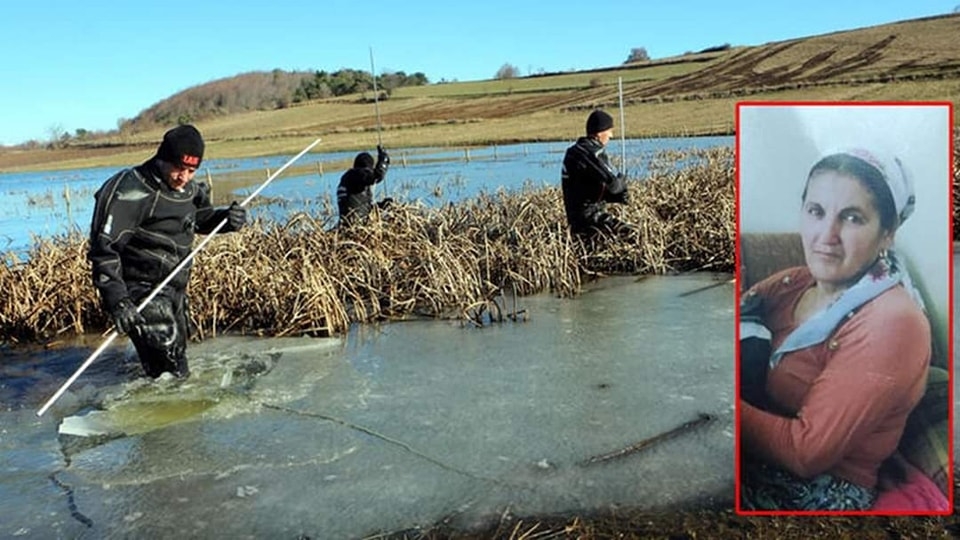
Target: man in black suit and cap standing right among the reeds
column 589, row 181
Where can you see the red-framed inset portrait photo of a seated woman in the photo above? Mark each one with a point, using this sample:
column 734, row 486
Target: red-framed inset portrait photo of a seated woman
column 844, row 375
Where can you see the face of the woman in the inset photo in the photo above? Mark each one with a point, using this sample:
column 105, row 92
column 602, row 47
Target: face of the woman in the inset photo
column 840, row 229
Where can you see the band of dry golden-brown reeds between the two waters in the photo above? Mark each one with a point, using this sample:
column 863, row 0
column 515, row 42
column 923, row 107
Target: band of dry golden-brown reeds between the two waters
column 295, row 278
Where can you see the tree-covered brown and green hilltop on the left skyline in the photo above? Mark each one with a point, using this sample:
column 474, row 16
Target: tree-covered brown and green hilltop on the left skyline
column 263, row 91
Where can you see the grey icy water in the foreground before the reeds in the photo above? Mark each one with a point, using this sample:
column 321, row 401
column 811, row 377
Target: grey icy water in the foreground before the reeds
column 388, row 428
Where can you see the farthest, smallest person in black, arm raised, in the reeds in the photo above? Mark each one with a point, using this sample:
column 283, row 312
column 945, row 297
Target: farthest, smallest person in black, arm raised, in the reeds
column 354, row 193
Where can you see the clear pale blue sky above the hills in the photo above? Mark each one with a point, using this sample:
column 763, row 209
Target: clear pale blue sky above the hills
column 86, row 64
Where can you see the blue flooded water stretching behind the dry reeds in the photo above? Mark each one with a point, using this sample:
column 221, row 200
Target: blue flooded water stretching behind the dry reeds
column 40, row 204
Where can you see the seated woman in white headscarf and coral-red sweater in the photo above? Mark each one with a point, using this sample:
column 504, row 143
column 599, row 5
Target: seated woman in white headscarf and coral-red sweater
column 849, row 341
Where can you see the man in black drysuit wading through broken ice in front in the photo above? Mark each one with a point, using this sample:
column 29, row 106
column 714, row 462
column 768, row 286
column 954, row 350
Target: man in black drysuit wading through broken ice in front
column 143, row 226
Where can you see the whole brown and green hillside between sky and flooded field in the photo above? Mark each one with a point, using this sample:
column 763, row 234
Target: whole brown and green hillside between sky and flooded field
column 269, row 113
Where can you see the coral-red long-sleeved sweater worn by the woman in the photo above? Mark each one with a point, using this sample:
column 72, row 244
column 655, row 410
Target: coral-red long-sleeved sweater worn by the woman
column 849, row 396
